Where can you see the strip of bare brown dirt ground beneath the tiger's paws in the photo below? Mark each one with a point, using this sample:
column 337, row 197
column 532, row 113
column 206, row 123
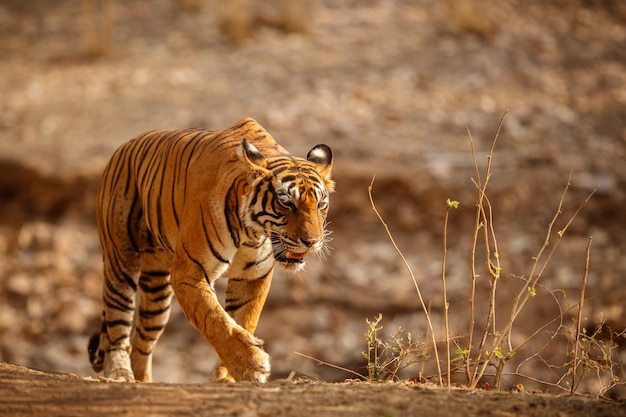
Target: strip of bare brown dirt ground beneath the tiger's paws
column 27, row 392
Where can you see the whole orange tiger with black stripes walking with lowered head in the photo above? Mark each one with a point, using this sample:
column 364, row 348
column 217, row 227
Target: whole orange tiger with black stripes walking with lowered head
column 177, row 210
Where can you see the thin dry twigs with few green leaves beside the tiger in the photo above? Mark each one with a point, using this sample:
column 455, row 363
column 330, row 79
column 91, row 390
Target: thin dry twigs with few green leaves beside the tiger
column 484, row 352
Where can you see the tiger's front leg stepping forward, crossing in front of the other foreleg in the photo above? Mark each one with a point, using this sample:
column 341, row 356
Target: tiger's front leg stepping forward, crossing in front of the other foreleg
column 240, row 352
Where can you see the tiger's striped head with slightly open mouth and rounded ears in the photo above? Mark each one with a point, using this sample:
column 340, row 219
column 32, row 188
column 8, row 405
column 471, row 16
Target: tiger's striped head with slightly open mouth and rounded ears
column 288, row 201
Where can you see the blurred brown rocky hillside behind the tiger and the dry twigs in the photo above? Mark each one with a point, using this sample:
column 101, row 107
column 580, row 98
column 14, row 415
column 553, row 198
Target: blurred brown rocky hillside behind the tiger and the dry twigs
column 392, row 87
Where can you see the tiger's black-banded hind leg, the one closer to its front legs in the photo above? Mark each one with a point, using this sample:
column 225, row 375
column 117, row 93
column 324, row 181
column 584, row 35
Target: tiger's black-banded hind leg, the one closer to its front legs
column 155, row 298
